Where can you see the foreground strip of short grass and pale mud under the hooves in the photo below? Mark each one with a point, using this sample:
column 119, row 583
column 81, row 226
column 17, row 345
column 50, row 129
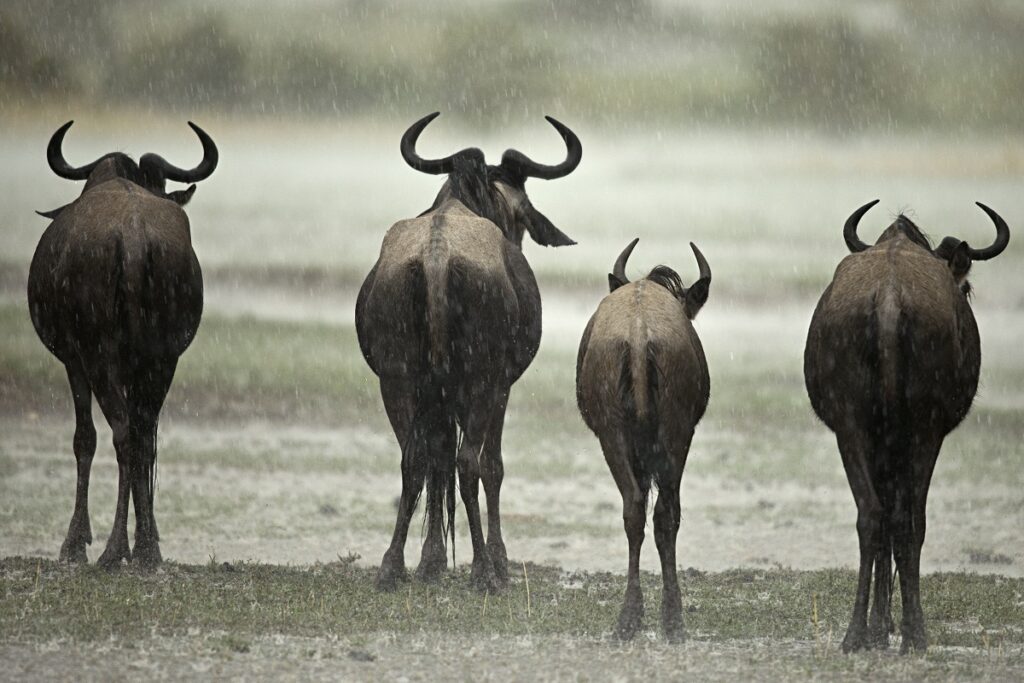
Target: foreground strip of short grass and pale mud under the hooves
column 762, row 623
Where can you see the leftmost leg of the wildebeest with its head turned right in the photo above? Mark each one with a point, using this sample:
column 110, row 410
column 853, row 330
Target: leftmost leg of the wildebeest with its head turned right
column 400, row 402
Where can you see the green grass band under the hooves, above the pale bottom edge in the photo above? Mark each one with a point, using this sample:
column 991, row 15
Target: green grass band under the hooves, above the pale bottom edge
column 46, row 601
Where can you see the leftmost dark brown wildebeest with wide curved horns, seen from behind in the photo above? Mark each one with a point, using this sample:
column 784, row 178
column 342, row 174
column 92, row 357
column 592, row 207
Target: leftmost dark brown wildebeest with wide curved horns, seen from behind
column 116, row 294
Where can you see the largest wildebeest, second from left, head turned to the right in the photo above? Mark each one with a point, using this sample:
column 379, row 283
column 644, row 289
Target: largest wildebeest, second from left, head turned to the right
column 449, row 319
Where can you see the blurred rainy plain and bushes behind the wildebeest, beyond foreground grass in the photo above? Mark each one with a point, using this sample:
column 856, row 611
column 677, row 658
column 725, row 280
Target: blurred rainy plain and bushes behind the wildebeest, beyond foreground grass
column 753, row 129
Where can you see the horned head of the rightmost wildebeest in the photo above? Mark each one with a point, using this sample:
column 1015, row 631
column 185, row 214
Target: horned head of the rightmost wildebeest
column 957, row 253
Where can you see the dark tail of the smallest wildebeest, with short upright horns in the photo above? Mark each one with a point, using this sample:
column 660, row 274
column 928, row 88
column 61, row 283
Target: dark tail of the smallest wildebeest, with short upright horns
column 638, row 390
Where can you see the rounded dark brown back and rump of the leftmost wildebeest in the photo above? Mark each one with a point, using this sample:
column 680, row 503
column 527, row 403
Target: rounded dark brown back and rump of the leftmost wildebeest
column 150, row 294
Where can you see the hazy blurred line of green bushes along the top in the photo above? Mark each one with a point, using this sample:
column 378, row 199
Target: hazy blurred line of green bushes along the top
column 924, row 64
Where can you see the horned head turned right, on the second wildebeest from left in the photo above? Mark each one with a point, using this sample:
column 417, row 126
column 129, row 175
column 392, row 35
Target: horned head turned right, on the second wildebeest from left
column 497, row 193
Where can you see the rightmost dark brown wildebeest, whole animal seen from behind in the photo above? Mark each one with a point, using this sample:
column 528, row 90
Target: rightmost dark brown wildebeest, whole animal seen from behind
column 891, row 367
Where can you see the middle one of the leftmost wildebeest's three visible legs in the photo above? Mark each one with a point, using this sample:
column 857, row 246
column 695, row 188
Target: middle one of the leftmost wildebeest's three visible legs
column 113, row 403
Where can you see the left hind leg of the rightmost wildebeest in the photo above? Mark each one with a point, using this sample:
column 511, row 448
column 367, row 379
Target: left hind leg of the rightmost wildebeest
column 856, row 450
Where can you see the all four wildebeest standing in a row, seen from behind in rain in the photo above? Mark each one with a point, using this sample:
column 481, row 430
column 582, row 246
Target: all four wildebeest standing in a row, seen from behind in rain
column 450, row 318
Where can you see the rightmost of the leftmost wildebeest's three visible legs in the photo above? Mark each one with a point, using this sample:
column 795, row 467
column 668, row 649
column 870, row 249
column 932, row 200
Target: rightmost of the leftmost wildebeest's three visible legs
column 148, row 395
